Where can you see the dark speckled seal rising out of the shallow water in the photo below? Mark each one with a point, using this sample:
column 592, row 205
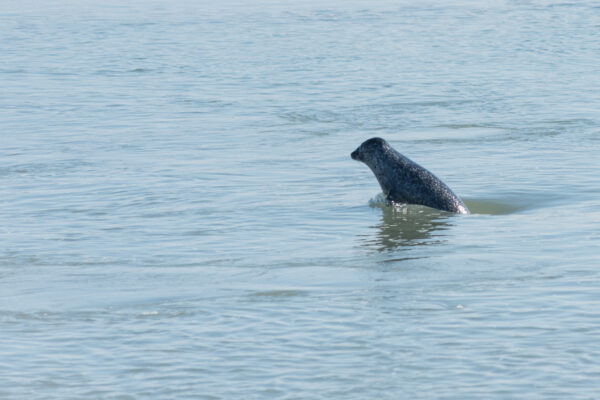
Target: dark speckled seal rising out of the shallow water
column 403, row 180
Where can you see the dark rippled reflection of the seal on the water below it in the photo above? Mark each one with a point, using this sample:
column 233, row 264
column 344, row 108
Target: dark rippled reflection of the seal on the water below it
column 408, row 226
